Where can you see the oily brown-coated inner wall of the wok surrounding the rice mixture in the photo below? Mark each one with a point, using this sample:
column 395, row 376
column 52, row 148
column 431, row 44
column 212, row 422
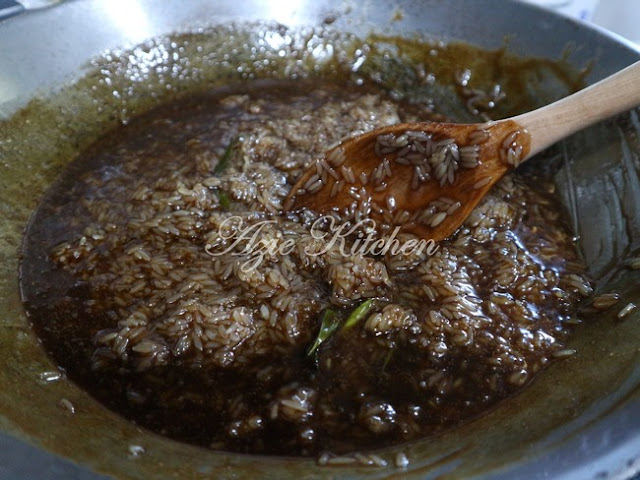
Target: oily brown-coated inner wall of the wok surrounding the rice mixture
column 40, row 140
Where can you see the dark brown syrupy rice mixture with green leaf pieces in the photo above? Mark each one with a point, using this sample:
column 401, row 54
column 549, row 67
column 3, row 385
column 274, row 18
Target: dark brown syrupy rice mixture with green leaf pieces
column 127, row 284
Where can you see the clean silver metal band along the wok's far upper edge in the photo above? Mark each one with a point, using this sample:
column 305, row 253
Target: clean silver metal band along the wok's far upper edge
column 46, row 47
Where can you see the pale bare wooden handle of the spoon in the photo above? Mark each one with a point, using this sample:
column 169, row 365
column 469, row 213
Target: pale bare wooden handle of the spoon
column 608, row 97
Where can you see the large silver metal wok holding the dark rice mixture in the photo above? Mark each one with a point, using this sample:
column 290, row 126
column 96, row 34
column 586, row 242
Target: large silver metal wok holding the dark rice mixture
column 579, row 419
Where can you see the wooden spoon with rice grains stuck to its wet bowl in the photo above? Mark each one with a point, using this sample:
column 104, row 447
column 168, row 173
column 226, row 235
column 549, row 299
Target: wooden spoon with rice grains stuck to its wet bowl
column 428, row 177
